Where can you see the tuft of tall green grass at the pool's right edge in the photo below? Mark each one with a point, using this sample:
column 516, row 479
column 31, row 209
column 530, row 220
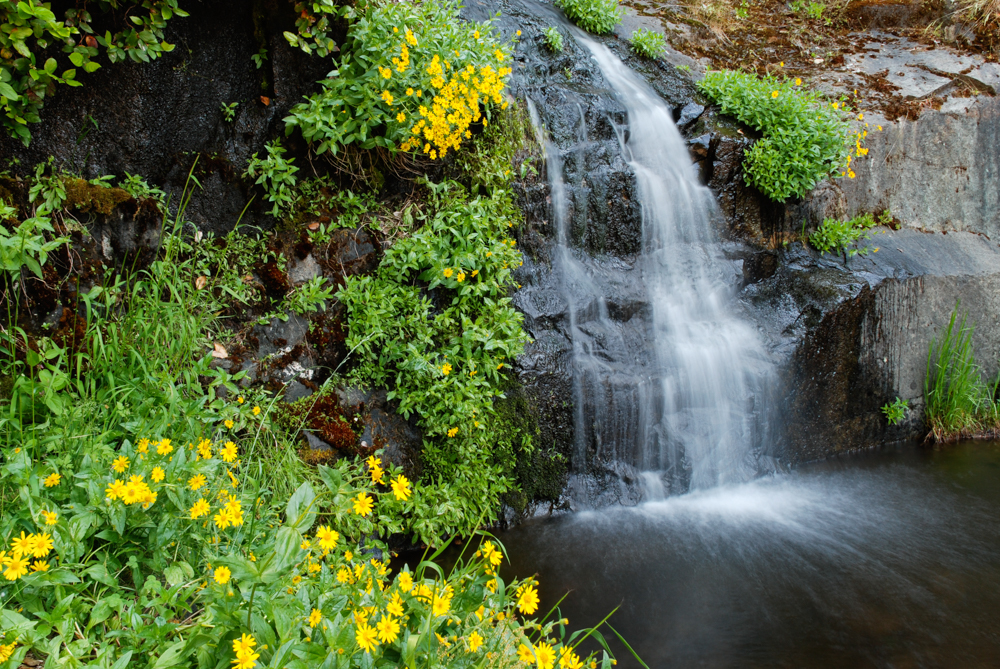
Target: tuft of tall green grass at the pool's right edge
column 958, row 403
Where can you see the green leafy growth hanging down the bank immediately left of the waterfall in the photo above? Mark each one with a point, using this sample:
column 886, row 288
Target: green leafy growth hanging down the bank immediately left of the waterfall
column 436, row 327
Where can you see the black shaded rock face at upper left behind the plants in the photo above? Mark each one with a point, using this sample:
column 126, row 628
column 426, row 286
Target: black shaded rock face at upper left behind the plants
column 153, row 119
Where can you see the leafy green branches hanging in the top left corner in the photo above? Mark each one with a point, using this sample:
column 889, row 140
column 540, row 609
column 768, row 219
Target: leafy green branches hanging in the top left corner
column 30, row 31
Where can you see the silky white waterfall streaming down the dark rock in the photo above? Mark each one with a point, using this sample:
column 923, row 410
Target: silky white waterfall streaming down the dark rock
column 685, row 410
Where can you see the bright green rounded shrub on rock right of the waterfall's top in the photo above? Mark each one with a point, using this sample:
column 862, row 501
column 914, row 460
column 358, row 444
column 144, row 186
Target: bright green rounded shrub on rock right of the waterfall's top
column 806, row 138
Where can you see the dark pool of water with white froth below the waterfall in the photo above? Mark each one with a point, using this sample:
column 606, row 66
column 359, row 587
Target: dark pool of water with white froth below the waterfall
column 881, row 560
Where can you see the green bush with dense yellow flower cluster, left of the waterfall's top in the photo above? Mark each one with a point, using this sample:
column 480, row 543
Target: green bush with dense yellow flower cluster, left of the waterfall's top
column 410, row 78
